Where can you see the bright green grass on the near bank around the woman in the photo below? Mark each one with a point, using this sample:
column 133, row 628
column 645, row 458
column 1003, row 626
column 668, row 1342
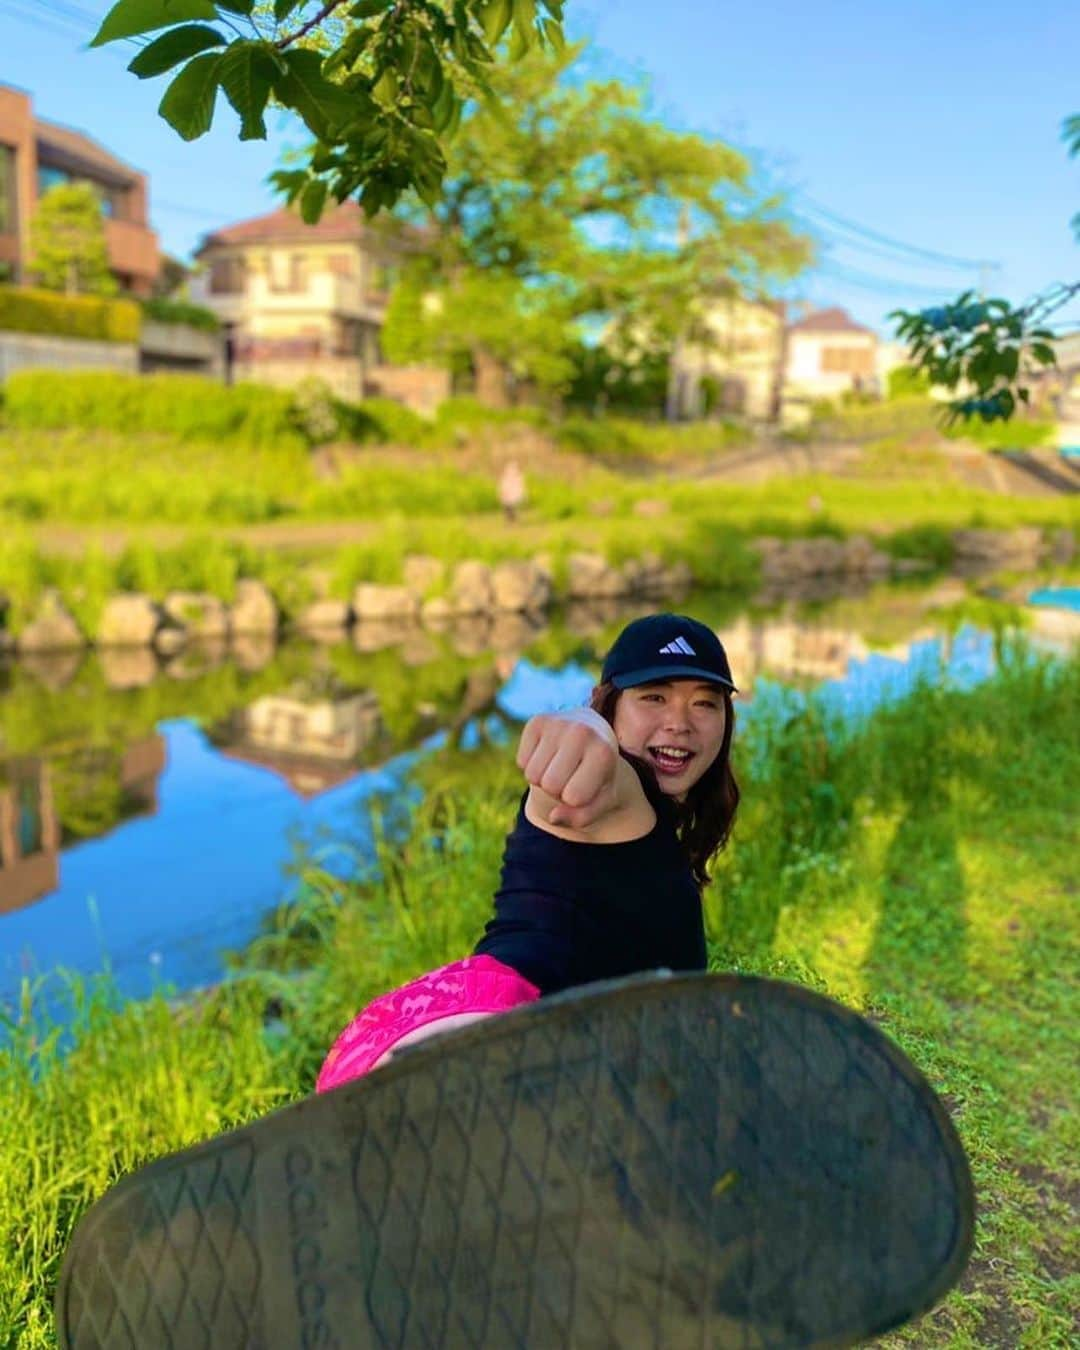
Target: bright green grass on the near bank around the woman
column 920, row 867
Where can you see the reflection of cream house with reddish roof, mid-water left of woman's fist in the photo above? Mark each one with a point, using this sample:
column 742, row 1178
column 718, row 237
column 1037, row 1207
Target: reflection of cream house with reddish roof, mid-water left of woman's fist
column 314, row 745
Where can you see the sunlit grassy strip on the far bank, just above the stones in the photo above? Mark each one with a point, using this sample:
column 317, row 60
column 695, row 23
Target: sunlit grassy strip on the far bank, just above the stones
column 708, row 524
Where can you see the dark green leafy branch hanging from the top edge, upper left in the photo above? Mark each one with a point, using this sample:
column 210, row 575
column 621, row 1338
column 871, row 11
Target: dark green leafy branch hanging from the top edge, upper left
column 380, row 84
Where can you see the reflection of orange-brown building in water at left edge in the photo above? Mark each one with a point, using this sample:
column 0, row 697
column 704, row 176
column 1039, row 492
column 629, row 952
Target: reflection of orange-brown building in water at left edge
column 37, row 801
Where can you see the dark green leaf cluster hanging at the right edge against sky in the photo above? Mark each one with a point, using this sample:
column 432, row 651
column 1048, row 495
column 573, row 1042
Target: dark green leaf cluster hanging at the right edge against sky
column 989, row 348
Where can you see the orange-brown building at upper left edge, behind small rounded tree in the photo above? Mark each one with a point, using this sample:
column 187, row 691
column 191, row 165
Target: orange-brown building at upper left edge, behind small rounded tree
column 36, row 156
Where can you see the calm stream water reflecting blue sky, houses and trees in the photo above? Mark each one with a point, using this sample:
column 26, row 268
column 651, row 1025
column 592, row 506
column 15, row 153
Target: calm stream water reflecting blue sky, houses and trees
column 149, row 830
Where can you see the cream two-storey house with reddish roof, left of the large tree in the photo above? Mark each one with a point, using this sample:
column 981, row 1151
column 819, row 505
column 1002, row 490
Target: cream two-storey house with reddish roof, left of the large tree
column 304, row 302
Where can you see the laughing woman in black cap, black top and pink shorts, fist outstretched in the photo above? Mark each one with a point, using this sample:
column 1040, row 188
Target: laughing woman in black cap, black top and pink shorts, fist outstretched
column 627, row 803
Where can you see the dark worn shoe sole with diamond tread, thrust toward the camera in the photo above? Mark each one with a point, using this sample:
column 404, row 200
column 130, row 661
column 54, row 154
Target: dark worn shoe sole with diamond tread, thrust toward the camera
column 692, row 1162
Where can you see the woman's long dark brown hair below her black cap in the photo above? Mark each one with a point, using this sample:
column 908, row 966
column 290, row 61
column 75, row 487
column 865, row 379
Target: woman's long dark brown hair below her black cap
column 704, row 821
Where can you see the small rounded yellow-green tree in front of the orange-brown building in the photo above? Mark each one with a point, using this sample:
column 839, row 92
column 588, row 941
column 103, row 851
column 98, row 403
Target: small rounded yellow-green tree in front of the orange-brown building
column 68, row 242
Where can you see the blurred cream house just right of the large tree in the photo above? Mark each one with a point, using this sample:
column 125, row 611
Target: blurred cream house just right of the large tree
column 738, row 369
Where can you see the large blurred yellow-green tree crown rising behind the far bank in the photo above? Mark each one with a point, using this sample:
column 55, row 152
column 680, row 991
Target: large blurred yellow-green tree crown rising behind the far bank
column 566, row 211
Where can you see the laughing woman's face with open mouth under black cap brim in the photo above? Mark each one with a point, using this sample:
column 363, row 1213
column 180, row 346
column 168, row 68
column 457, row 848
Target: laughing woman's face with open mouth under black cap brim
column 677, row 726
